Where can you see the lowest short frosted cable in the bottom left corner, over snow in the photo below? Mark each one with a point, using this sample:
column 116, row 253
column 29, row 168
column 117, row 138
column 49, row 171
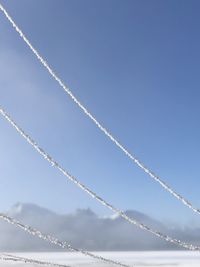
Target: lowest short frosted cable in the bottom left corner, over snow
column 13, row 258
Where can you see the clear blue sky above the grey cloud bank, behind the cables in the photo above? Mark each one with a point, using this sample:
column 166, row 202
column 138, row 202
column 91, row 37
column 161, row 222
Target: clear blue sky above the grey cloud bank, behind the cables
column 135, row 65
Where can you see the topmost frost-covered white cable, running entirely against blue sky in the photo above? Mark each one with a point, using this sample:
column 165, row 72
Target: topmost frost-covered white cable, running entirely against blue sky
column 95, row 121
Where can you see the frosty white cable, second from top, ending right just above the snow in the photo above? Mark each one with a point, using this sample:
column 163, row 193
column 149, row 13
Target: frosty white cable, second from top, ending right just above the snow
column 89, row 191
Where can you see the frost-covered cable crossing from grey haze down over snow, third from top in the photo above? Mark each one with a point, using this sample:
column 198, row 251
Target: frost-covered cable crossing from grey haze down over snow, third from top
column 32, row 231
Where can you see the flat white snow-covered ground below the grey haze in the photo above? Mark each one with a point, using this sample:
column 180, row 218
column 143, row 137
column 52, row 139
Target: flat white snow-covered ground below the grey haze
column 140, row 259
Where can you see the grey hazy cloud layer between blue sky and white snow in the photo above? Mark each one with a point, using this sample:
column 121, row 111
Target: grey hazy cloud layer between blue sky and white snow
column 84, row 229
